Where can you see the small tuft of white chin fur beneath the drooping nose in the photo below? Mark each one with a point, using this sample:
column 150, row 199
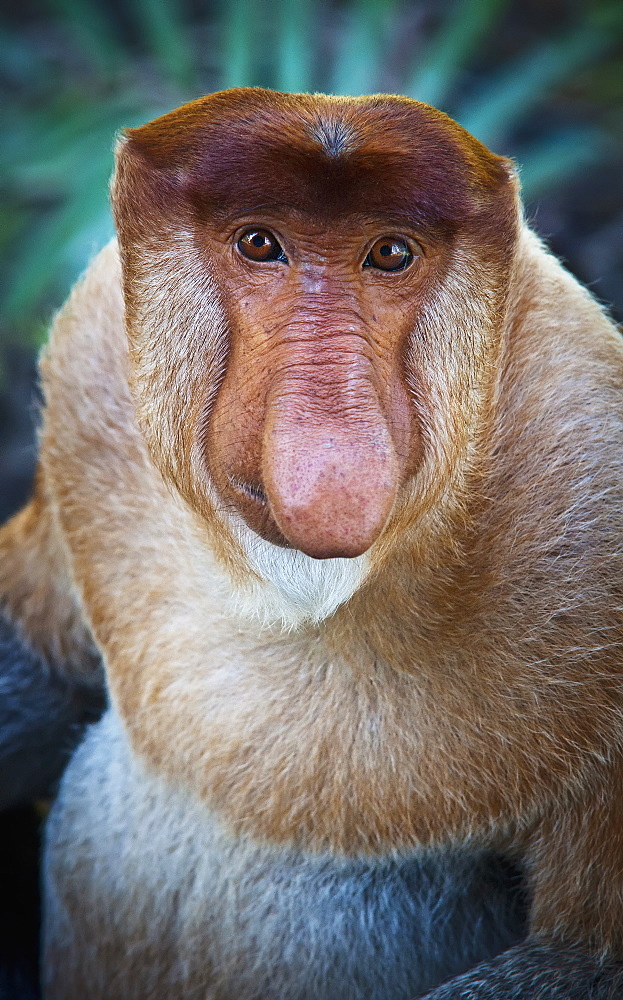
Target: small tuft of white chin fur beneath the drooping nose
column 294, row 588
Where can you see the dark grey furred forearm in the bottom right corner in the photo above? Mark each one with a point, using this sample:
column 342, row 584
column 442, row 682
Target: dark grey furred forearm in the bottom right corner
column 537, row 972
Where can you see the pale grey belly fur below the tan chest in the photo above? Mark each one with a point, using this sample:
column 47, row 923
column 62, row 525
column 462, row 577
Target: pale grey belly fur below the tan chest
column 220, row 917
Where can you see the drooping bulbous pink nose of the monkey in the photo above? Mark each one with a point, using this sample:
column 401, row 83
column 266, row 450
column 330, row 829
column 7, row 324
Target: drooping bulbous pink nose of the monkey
column 330, row 480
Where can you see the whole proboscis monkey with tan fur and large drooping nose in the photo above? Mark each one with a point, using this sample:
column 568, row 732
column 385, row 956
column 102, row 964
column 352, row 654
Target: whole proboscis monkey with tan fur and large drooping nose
column 331, row 472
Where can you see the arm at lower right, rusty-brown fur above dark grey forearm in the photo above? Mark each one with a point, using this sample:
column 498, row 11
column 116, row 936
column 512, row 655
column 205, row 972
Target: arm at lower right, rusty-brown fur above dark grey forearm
column 572, row 864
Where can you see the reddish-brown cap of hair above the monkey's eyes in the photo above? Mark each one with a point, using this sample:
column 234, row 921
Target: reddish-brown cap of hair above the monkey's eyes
column 321, row 155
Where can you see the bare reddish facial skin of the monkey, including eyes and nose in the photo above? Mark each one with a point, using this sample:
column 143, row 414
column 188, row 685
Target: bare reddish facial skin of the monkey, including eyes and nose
column 313, row 432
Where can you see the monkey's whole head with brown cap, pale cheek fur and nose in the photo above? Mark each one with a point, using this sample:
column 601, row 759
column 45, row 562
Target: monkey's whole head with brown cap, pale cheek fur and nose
column 315, row 291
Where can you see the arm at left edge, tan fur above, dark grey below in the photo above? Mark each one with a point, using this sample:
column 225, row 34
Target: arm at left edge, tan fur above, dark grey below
column 50, row 675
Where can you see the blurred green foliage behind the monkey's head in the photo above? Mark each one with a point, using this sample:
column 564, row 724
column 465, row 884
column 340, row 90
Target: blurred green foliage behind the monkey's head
column 541, row 82
